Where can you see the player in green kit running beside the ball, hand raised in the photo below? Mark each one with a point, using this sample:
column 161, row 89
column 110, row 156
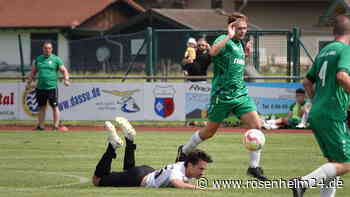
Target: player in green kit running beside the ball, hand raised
column 229, row 93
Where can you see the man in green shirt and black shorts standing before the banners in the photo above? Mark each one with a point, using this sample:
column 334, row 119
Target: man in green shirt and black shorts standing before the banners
column 47, row 66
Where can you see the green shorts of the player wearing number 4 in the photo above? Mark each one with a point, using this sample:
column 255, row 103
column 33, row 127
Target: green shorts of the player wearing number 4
column 333, row 138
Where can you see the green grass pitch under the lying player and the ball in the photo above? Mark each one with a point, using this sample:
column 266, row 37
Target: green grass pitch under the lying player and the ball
column 36, row 163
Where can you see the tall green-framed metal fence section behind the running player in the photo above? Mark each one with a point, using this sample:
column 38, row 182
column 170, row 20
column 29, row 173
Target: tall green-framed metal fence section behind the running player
column 275, row 52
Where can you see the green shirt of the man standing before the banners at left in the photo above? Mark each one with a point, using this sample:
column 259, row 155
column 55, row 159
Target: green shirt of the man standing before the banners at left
column 47, row 69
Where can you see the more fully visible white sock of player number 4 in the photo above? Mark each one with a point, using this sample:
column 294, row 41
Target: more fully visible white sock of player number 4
column 325, row 172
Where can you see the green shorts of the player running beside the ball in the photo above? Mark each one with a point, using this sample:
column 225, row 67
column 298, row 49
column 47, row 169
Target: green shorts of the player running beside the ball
column 218, row 110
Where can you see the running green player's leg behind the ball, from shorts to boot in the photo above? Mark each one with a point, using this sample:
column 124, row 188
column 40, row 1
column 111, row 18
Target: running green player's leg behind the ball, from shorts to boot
column 247, row 113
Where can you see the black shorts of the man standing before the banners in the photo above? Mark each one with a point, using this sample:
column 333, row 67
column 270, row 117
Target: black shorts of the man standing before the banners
column 42, row 96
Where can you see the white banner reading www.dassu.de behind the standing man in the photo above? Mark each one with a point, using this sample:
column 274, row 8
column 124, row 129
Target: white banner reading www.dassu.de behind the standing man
column 91, row 101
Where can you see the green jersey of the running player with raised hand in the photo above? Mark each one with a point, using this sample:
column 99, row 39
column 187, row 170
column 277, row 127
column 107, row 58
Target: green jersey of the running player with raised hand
column 228, row 69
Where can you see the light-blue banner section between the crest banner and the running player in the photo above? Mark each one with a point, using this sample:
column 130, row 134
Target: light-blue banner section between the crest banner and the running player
column 197, row 99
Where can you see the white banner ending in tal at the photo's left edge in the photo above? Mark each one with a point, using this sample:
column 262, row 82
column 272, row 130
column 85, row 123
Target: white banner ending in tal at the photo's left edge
column 9, row 101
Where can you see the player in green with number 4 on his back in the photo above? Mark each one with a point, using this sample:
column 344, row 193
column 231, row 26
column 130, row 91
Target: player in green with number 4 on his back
column 328, row 84
